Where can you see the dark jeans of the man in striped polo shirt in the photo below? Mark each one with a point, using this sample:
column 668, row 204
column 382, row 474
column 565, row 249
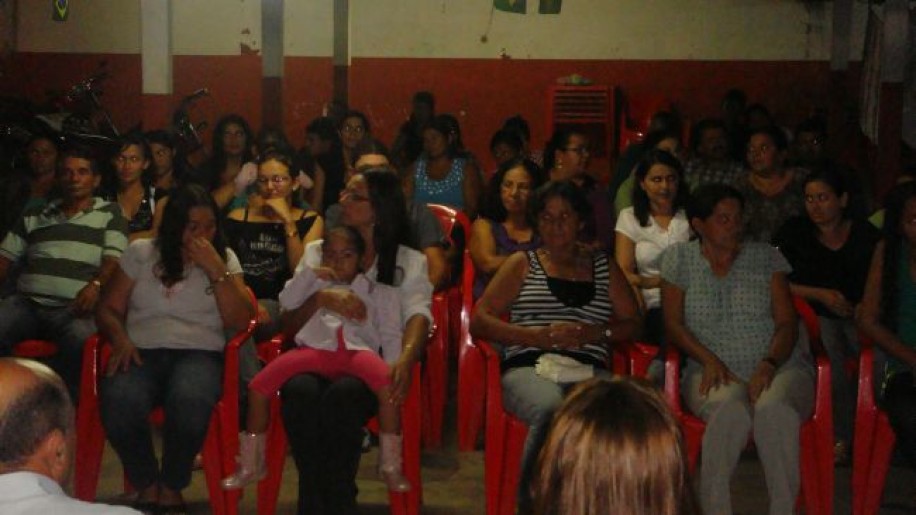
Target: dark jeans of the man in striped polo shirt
column 23, row 319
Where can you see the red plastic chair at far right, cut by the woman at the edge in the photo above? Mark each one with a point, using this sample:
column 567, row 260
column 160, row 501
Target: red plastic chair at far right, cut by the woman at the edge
column 873, row 441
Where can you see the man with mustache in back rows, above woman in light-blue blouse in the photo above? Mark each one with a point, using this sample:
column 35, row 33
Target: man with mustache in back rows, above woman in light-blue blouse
column 710, row 161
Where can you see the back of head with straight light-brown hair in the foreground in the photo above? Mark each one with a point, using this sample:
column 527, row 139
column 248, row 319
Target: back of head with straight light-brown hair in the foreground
column 614, row 448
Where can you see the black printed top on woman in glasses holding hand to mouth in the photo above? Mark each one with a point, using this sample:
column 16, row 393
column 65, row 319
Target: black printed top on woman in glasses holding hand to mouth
column 261, row 249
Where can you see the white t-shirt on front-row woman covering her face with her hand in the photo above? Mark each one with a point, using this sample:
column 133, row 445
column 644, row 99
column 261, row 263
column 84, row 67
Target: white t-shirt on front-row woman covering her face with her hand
column 184, row 316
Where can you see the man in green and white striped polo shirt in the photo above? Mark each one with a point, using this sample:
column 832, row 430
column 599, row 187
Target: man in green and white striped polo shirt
column 69, row 249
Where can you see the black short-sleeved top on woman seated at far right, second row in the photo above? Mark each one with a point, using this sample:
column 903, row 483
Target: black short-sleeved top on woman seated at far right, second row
column 813, row 264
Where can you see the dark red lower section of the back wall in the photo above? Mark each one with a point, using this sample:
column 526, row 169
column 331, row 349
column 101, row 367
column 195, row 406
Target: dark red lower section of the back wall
column 480, row 92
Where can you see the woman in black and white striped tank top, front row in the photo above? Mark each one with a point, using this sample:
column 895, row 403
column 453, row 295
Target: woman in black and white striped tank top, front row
column 564, row 298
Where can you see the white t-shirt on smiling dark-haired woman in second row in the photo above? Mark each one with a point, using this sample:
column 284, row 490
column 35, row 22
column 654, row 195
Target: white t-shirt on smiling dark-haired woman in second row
column 650, row 242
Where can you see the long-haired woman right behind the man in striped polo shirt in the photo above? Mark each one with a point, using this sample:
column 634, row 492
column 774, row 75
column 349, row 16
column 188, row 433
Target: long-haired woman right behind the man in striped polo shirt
column 131, row 186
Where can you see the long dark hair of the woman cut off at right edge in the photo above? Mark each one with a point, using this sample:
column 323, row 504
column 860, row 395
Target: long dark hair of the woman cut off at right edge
column 894, row 241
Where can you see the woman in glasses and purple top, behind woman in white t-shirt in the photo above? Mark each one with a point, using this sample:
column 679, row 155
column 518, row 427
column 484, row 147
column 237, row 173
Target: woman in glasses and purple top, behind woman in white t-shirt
column 566, row 157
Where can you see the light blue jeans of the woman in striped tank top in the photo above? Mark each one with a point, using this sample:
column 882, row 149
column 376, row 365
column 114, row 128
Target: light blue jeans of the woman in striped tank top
column 534, row 400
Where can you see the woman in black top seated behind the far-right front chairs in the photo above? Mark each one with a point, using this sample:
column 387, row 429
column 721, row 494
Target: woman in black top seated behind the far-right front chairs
column 830, row 254
